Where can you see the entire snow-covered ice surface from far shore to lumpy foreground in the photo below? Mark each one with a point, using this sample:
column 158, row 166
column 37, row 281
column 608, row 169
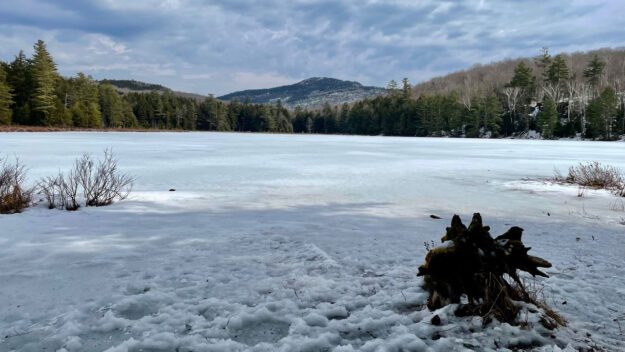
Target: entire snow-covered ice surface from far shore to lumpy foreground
column 298, row 243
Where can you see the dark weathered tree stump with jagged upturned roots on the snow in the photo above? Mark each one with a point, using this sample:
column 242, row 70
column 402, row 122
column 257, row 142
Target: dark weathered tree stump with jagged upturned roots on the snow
column 484, row 269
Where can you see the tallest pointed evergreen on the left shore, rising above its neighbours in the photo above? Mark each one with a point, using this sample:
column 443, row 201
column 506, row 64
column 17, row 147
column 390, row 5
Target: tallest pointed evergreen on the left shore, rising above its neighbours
column 44, row 76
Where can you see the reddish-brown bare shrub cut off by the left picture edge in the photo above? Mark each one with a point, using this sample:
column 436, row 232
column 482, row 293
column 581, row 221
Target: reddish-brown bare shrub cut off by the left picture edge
column 14, row 196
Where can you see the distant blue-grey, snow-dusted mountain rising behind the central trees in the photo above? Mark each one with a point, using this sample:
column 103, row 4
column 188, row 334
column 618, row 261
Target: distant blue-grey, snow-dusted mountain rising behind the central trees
column 312, row 92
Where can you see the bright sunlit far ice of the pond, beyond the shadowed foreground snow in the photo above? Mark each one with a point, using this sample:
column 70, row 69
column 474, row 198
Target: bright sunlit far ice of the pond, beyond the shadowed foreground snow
column 457, row 175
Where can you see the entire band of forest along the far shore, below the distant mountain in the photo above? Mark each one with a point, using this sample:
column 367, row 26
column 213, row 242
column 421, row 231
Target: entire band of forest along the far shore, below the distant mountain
column 546, row 95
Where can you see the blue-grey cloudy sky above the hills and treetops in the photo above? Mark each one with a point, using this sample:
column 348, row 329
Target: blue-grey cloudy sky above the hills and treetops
column 219, row 46
